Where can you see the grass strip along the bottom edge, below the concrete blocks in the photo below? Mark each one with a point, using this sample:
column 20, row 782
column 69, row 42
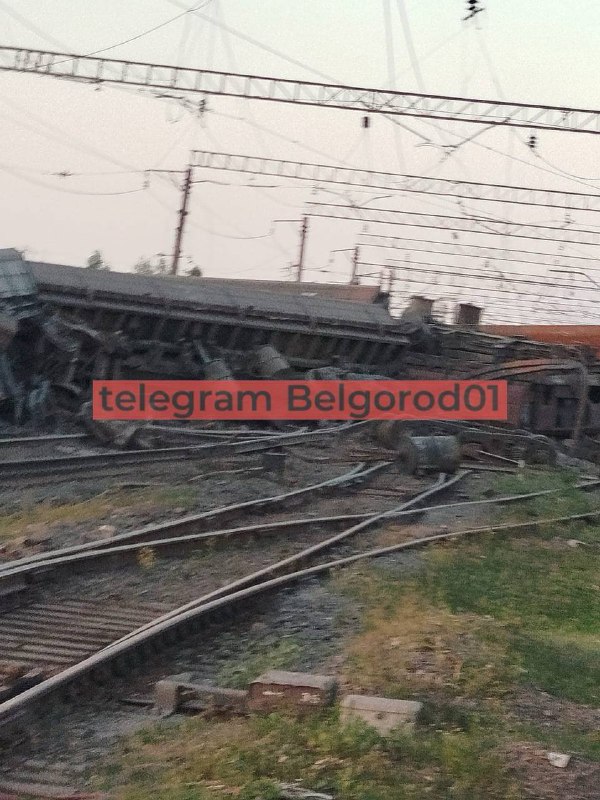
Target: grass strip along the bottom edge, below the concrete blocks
column 250, row 758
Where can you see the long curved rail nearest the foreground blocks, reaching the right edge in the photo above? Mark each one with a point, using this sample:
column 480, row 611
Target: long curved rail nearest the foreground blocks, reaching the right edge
column 12, row 710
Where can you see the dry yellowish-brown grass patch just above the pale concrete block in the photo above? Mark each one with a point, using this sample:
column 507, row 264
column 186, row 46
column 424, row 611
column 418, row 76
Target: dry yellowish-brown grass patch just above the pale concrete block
column 412, row 647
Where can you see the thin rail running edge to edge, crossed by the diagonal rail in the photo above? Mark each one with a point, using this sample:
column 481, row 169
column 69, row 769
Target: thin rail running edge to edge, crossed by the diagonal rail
column 62, row 558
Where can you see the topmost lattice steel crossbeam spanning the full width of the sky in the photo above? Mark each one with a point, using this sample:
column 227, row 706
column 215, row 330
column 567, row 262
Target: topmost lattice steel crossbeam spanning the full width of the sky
column 162, row 76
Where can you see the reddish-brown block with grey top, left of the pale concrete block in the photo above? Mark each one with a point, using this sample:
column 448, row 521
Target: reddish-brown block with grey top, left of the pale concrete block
column 277, row 689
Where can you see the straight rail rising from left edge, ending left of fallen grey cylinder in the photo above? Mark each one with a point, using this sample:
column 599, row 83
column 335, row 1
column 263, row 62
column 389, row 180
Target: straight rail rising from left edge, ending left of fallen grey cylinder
column 357, row 473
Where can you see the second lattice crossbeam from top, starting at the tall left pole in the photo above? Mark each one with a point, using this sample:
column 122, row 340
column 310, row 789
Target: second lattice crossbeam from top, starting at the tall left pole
column 327, row 173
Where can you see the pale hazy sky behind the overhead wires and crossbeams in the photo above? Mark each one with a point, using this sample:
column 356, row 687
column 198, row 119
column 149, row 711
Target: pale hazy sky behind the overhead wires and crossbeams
column 536, row 51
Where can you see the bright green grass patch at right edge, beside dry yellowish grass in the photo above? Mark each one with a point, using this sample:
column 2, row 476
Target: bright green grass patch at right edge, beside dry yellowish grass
column 547, row 594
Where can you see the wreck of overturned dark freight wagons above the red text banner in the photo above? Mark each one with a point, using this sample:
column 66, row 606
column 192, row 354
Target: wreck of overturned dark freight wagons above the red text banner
column 63, row 326
